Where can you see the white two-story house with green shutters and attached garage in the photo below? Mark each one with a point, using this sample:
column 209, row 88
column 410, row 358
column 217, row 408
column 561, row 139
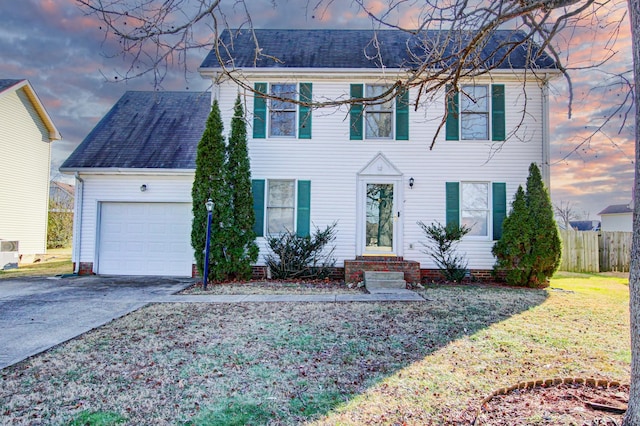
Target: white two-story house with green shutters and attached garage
column 369, row 168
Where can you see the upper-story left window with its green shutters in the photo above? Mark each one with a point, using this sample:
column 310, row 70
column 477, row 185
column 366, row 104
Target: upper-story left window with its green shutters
column 278, row 115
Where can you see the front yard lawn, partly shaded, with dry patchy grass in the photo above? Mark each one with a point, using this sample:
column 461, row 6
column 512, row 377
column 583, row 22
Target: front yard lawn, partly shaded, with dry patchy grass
column 326, row 363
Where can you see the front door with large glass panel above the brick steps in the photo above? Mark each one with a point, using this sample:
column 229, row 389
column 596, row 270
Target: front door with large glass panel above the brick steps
column 380, row 222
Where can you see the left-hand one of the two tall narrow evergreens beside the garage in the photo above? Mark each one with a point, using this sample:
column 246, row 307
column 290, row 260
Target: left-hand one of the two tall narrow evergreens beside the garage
column 211, row 182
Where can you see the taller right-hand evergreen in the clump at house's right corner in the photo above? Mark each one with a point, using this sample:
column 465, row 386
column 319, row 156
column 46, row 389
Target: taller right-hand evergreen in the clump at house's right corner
column 546, row 247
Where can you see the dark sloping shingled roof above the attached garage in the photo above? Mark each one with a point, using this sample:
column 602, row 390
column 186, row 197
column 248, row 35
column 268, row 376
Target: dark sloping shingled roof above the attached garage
column 146, row 130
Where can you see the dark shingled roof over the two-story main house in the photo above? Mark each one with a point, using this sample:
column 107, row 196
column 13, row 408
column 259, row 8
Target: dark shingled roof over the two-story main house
column 354, row 49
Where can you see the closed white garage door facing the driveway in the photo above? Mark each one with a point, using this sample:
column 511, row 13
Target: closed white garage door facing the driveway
column 145, row 239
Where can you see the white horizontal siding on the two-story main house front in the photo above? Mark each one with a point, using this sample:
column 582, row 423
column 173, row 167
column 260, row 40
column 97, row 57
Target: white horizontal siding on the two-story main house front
column 332, row 162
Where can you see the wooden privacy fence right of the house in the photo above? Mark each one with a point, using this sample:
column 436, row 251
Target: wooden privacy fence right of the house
column 589, row 251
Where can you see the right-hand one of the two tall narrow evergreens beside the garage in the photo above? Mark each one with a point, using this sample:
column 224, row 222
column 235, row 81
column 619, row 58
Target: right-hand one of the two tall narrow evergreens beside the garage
column 242, row 248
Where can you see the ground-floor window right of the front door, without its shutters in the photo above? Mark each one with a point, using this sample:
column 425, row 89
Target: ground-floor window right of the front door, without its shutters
column 474, row 212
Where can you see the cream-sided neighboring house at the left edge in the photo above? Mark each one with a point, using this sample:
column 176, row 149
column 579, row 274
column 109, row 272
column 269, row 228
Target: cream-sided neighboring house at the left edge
column 26, row 133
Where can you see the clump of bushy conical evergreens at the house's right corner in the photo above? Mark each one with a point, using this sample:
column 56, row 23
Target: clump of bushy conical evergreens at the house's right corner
column 530, row 248
